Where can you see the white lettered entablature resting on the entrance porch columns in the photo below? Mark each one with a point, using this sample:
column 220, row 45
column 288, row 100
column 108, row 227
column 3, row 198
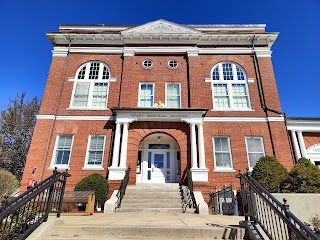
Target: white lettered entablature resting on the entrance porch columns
column 156, row 114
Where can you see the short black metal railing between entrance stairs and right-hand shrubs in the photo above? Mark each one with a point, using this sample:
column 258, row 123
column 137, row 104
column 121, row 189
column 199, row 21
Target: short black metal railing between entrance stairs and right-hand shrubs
column 222, row 201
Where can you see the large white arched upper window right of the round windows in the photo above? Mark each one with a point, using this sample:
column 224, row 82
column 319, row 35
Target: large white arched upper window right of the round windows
column 229, row 87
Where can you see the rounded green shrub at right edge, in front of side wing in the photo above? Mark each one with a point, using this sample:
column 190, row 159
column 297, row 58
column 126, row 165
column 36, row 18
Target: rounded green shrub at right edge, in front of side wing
column 304, row 177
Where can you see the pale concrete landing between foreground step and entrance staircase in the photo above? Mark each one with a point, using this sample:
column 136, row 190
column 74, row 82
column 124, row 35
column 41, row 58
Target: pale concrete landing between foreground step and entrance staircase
column 139, row 219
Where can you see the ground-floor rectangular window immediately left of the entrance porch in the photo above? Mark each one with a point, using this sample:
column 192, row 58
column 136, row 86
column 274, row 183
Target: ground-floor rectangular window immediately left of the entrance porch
column 95, row 150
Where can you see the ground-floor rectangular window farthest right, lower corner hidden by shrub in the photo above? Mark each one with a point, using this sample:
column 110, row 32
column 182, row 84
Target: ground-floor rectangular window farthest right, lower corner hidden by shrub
column 255, row 149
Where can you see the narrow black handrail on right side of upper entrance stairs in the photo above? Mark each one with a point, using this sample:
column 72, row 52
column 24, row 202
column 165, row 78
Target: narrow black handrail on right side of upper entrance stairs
column 188, row 196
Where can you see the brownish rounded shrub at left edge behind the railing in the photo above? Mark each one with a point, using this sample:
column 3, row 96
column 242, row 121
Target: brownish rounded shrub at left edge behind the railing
column 8, row 183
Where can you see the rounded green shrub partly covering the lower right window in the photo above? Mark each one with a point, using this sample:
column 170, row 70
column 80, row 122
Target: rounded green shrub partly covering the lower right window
column 269, row 173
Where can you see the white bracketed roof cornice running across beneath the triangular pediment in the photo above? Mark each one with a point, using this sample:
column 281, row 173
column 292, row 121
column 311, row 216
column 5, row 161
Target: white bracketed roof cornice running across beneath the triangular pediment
column 204, row 39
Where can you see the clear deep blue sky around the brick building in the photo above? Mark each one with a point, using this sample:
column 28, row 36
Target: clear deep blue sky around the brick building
column 26, row 51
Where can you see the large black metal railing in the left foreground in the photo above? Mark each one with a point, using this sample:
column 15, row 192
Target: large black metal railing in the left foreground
column 20, row 216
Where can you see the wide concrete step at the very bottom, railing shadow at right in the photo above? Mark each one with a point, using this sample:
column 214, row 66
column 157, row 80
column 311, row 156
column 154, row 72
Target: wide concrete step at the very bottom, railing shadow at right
column 121, row 232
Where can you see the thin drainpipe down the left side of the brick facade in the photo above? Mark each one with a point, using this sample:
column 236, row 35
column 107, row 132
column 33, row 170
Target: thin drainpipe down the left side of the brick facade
column 57, row 109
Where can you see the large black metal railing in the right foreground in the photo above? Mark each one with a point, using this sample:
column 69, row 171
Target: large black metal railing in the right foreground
column 274, row 218
